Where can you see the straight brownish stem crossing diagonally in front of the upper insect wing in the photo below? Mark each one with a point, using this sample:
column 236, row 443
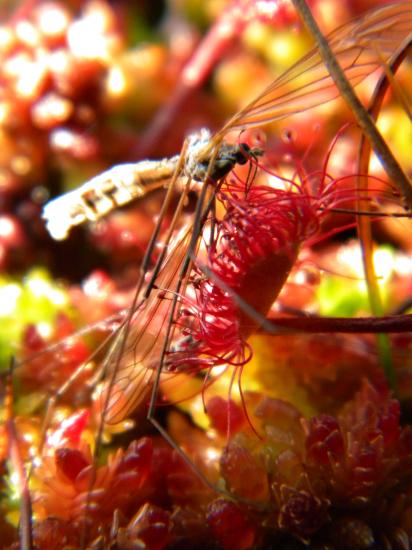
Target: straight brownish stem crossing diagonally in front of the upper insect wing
column 389, row 163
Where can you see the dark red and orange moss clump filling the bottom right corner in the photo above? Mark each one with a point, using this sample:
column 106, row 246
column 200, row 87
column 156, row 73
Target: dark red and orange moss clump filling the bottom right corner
column 361, row 457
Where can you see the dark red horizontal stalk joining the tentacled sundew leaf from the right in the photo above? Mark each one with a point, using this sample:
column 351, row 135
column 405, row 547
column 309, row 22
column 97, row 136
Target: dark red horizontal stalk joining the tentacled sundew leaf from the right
column 359, row 325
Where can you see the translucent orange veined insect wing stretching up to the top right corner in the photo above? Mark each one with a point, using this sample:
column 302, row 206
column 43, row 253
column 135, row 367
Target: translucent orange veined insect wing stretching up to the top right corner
column 361, row 47
